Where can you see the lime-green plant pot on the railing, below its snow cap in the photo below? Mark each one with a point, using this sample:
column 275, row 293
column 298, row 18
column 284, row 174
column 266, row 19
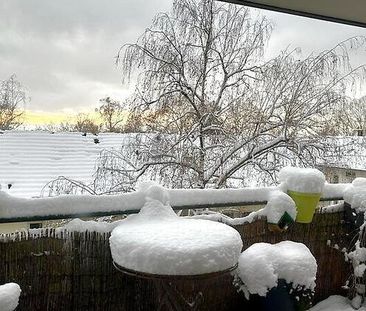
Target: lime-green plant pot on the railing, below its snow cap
column 306, row 204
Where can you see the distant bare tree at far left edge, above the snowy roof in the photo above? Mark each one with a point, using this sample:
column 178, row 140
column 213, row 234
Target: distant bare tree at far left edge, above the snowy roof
column 12, row 97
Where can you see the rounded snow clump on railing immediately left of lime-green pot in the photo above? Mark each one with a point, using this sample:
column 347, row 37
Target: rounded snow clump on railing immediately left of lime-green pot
column 277, row 205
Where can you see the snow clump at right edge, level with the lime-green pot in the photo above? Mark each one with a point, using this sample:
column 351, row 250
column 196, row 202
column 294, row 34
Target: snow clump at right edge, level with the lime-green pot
column 355, row 194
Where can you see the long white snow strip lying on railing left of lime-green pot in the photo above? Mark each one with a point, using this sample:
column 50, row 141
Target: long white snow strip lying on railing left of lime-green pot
column 11, row 206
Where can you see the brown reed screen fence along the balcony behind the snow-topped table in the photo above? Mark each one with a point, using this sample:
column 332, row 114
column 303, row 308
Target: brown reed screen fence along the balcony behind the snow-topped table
column 74, row 271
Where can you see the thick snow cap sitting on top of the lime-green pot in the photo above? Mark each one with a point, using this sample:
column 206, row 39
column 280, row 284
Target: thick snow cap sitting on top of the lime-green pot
column 302, row 179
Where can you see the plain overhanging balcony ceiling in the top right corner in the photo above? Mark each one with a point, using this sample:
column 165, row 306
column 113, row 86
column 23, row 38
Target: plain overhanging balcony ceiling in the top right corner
column 351, row 12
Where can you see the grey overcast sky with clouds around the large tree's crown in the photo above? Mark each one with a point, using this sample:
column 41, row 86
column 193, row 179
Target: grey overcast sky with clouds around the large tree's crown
column 63, row 51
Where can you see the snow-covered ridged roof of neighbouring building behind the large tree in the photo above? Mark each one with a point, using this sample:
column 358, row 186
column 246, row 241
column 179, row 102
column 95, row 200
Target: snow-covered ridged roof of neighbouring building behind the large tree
column 31, row 159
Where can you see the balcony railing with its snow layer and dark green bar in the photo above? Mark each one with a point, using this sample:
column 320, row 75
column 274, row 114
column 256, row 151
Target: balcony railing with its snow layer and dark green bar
column 14, row 209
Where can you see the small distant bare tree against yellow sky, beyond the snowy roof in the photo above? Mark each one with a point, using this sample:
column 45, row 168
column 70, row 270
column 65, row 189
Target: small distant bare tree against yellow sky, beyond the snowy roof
column 112, row 114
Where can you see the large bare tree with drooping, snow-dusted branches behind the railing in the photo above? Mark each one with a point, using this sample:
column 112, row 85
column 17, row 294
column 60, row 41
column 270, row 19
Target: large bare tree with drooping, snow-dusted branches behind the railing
column 220, row 111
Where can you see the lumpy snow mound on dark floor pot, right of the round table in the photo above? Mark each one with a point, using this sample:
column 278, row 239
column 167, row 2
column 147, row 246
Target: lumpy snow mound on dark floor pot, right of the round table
column 262, row 264
